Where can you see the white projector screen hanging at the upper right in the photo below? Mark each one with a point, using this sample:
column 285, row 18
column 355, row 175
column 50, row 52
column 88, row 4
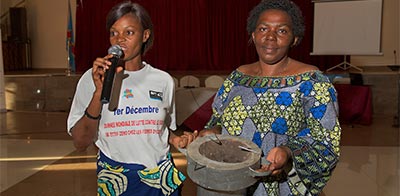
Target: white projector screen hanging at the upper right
column 351, row 27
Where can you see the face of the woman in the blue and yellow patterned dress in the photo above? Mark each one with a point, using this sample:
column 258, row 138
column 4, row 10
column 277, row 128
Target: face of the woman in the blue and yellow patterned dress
column 273, row 36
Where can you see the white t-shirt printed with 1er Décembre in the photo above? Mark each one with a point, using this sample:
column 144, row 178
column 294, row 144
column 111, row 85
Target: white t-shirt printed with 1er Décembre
column 137, row 131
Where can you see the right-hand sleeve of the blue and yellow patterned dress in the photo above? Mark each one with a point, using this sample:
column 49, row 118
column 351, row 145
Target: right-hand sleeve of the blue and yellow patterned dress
column 315, row 149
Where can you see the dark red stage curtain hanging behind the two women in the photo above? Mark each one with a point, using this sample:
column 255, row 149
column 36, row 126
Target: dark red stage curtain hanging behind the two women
column 190, row 35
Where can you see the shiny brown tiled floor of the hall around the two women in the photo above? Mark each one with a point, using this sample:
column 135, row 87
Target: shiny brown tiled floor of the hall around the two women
column 37, row 158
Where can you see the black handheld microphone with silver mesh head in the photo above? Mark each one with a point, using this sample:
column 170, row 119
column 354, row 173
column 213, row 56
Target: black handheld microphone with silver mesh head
column 116, row 50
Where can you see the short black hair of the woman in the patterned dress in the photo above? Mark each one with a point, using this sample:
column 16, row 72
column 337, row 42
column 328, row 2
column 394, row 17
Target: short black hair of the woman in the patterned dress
column 285, row 5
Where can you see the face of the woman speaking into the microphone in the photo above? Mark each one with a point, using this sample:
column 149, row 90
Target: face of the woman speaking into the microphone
column 129, row 34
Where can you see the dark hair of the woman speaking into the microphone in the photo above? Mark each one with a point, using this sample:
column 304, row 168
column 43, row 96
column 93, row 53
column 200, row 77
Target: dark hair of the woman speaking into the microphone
column 137, row 10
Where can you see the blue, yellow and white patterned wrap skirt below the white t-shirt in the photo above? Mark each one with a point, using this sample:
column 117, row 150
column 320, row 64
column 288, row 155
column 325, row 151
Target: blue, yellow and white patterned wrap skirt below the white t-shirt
column 121, row 179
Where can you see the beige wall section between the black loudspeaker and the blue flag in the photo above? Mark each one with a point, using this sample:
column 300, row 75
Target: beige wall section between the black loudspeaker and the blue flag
column 47, row 24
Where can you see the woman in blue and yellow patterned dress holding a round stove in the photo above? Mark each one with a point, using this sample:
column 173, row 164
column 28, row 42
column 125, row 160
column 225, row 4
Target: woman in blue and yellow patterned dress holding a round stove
column 286, row 107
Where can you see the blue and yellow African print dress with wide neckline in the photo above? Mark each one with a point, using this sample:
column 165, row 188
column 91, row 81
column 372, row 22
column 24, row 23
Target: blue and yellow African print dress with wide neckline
column 299, row 111
